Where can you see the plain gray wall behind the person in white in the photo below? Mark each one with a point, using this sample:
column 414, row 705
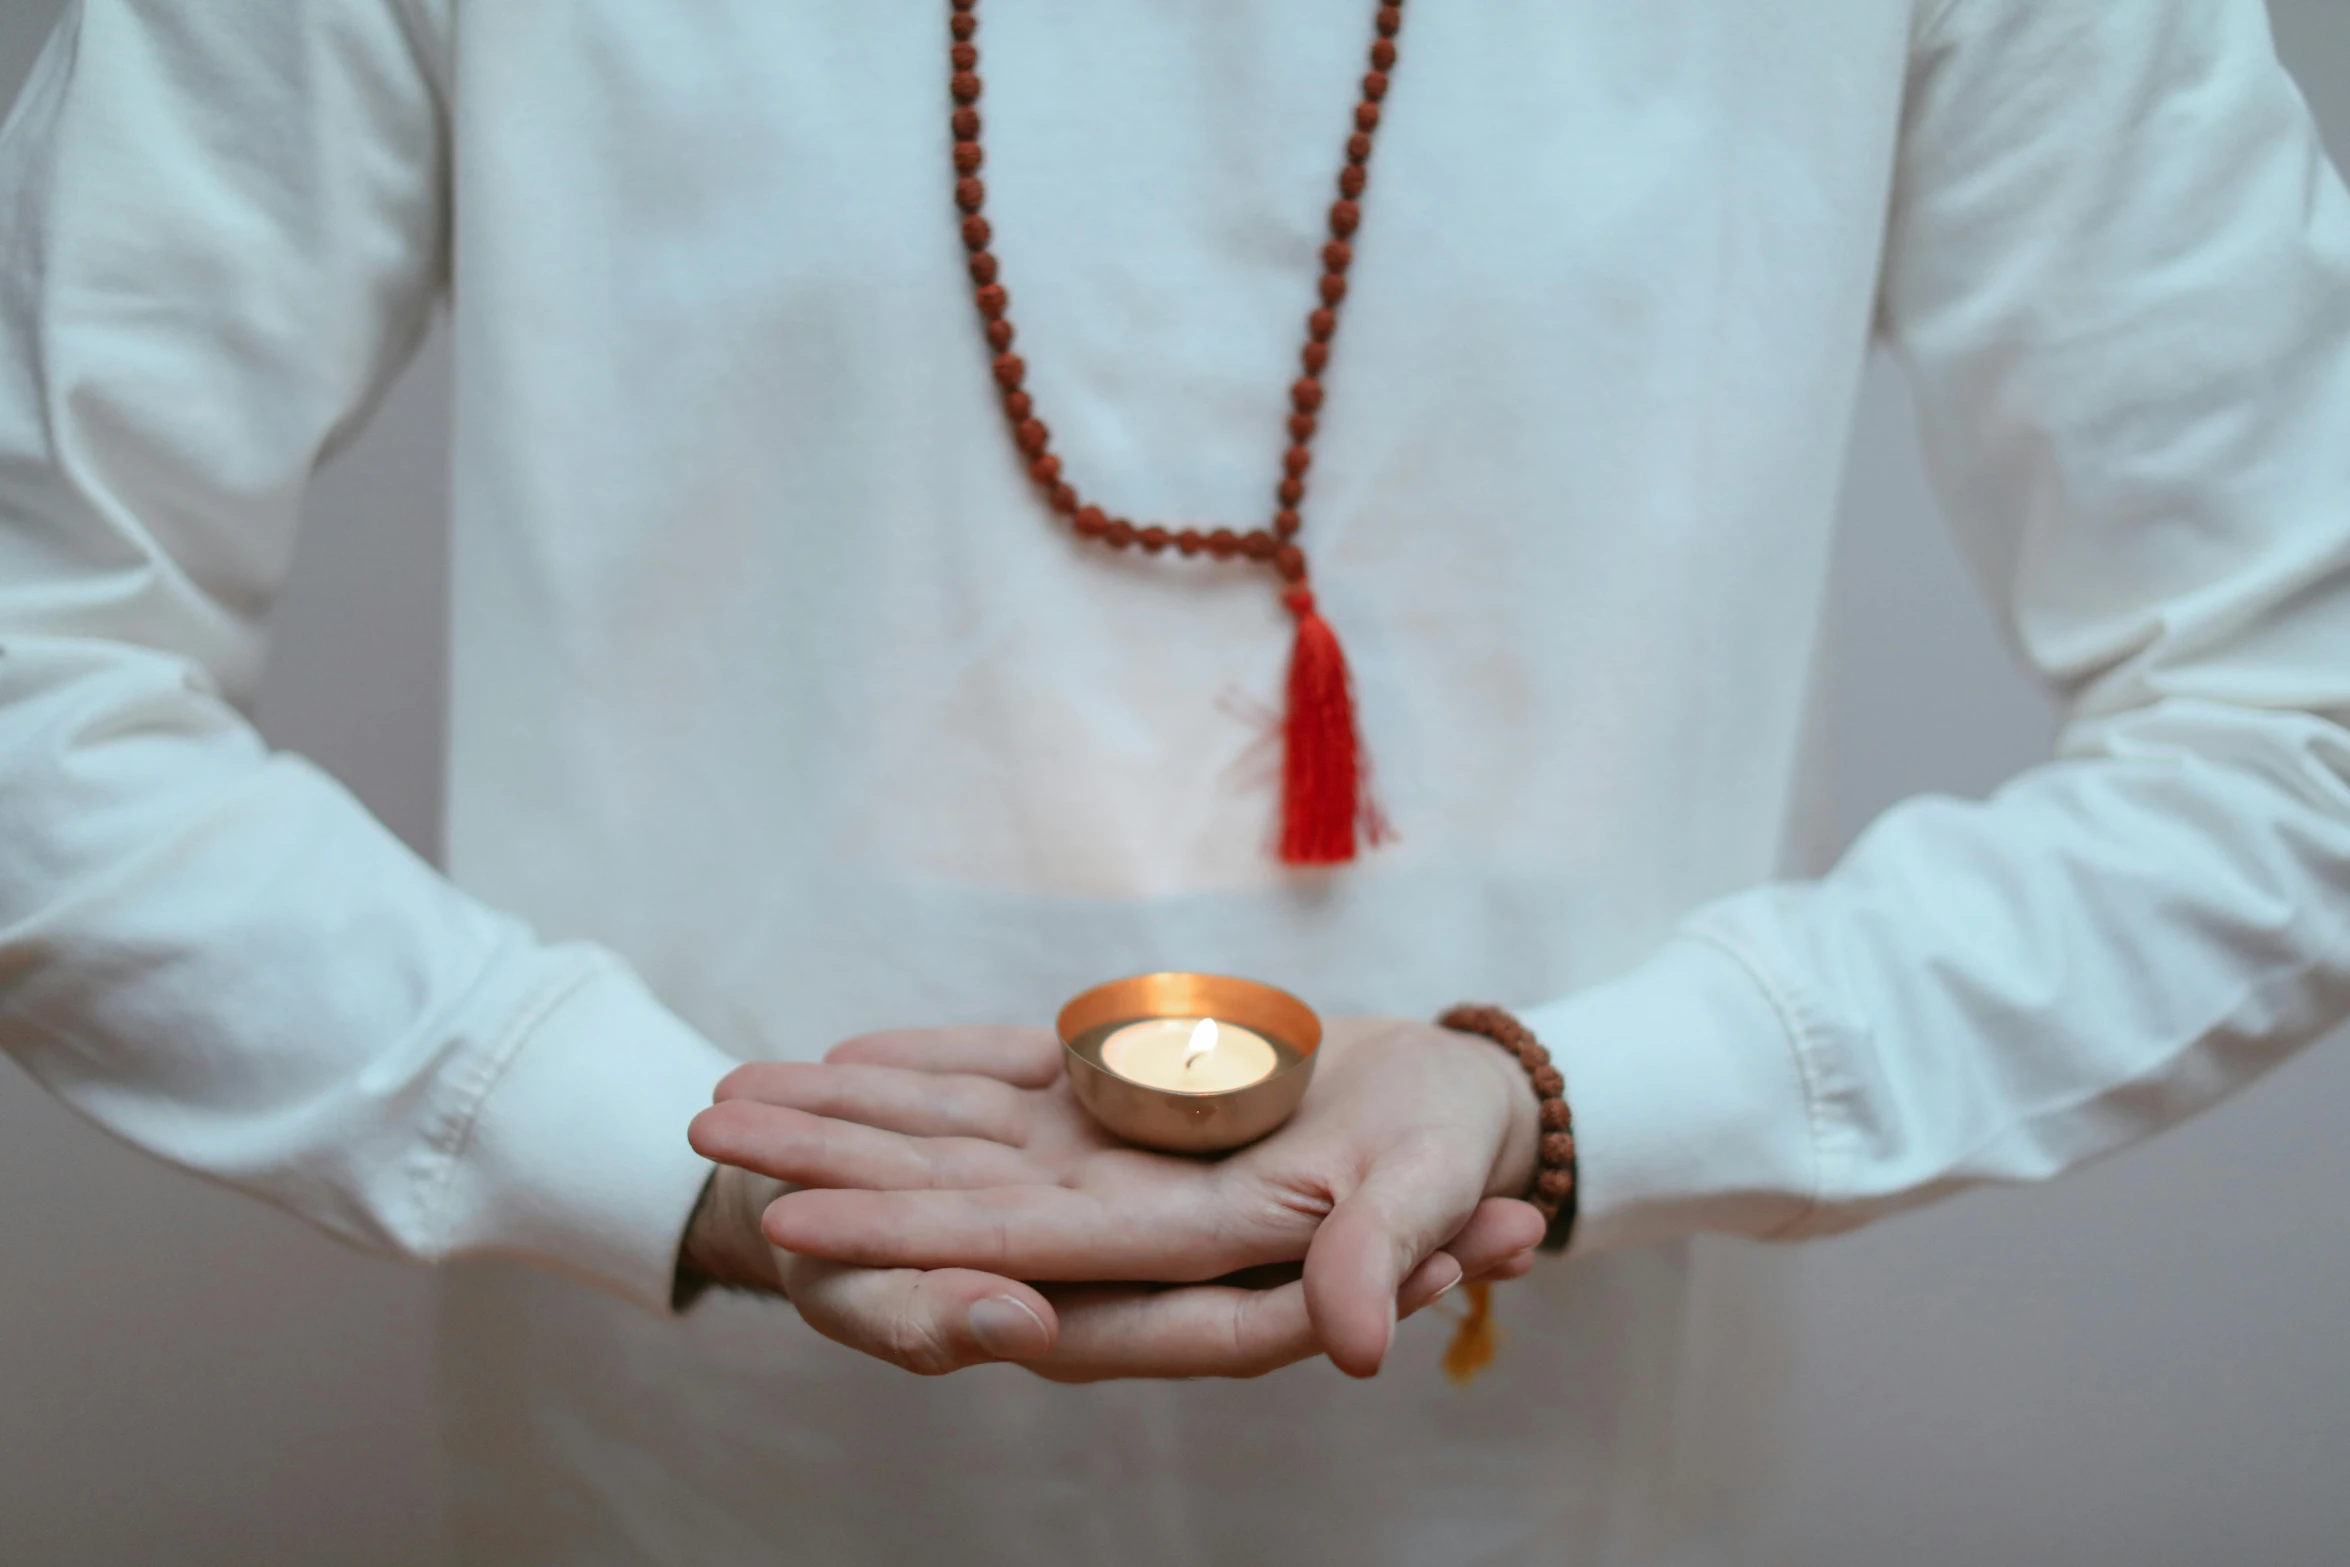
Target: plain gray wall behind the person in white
column 2144, row 1364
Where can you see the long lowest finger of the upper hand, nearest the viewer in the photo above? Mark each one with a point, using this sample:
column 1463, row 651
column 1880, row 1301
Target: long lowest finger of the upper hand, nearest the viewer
column 1169, row 1223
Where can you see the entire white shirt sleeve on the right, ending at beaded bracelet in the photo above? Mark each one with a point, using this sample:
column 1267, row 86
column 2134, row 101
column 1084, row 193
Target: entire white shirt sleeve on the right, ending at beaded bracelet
column 2119, row 276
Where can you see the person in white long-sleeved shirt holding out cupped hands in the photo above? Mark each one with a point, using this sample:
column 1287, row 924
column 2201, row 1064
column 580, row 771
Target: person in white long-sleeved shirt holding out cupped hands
column 791, row 711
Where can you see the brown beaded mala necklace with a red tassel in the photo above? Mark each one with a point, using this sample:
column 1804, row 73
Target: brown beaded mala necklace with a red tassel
column 1324, row 783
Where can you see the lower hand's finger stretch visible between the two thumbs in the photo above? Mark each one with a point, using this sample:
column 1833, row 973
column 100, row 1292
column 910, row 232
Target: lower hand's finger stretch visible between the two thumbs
column 1200, row 1331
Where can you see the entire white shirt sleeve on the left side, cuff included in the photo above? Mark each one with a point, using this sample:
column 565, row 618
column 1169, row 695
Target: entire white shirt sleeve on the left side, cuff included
column 222, row 231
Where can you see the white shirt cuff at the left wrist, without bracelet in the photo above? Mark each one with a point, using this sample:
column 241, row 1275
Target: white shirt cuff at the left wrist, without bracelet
column 579, row 1157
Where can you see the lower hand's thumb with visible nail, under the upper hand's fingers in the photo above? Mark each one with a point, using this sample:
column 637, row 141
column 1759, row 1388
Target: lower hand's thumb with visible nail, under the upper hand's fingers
column 927, row 1324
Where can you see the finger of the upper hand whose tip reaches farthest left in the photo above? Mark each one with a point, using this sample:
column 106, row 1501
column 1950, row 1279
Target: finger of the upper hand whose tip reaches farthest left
column 821, row 1152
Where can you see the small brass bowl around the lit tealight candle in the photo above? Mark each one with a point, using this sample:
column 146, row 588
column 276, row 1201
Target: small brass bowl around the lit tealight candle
column 1190, row 1122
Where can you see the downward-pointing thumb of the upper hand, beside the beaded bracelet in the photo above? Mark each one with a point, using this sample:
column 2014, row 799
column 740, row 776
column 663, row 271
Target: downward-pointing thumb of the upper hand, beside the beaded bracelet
column 1364, row 1253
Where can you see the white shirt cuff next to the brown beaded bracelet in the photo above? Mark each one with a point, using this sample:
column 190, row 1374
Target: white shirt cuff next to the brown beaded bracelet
column 1691, row 1103
